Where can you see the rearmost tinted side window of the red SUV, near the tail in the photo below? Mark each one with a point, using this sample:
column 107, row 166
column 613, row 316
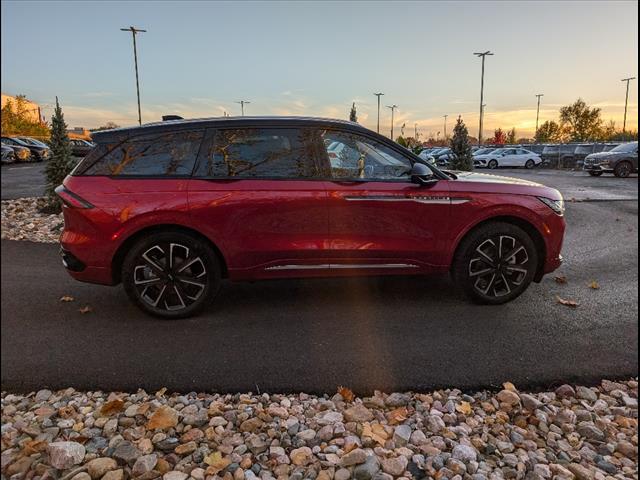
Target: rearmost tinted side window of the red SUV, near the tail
column 166, row 154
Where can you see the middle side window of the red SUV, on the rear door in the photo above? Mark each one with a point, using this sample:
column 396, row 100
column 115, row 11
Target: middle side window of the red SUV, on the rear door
column 260, row 153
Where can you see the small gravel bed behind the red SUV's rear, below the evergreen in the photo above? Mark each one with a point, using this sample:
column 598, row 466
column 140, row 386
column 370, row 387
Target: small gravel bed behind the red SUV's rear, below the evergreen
column 22, row 220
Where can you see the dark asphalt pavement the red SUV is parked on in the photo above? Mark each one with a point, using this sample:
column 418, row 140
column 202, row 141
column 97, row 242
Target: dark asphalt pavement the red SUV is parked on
column 312, row 335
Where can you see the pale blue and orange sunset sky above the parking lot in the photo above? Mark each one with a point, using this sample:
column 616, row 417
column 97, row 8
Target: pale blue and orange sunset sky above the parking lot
column 308, row 58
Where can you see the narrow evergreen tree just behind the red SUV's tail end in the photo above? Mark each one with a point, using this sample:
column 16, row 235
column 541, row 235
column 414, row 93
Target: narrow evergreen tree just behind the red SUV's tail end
column 60, row 164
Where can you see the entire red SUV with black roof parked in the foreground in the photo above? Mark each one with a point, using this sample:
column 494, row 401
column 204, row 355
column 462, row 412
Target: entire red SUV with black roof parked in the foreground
column 171, row 208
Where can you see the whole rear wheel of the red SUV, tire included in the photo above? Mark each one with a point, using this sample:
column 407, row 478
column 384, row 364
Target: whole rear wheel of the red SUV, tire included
column 182, row 282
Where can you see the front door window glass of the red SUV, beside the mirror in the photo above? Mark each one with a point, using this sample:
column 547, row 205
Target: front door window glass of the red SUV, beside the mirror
column 353, row 156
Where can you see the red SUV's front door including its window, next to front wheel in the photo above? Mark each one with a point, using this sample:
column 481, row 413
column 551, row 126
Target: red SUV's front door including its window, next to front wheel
column 380, row 222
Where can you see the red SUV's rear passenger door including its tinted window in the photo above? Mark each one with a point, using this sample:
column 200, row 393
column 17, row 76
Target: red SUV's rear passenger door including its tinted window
column 260, row 196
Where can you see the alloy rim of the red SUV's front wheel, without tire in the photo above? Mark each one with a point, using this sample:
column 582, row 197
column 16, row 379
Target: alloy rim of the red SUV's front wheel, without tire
column 499, row 266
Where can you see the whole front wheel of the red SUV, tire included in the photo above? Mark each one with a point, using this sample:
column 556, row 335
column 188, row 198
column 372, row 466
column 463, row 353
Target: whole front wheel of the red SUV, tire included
column 495, row 282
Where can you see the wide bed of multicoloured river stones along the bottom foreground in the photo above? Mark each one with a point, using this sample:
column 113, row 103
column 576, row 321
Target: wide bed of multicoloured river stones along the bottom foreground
column 572, row 432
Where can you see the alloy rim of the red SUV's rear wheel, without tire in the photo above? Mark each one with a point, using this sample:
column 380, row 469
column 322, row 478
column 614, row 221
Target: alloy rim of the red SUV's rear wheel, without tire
column 169, row 276
